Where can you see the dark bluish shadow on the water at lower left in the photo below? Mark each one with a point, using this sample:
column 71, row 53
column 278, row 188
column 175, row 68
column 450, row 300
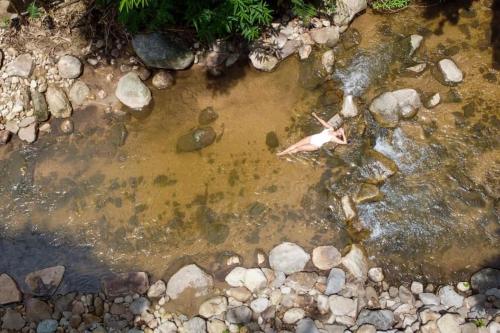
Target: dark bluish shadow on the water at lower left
column 30, row 250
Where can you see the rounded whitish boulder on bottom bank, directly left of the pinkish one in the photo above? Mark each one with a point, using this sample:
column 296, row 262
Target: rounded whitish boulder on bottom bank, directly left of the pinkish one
column 288, row 258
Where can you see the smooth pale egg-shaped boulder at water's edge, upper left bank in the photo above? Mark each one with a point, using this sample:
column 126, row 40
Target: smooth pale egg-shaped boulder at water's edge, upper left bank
column 132, row 92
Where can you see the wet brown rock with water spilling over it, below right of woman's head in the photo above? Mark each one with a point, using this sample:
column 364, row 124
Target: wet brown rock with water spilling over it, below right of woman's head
column 376, row 168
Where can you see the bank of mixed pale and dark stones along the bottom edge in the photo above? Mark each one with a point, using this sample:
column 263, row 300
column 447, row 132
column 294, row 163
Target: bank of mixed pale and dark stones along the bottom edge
column 288, row 290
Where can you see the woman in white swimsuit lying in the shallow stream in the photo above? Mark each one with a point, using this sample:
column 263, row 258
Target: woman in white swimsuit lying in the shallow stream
column 316, row 141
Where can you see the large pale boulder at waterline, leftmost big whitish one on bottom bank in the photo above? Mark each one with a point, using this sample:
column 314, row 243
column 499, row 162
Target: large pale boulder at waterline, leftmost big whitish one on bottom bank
column 189, row 277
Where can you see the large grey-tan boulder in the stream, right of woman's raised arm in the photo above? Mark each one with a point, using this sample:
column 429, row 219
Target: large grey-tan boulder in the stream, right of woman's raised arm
column 389, row 107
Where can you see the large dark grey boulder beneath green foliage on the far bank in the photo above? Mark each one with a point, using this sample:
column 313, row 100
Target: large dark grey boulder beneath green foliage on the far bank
column 162, row 51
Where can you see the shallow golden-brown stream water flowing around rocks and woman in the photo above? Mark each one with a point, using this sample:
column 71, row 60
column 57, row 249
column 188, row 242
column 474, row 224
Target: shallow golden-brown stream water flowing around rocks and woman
column 117, row 195
